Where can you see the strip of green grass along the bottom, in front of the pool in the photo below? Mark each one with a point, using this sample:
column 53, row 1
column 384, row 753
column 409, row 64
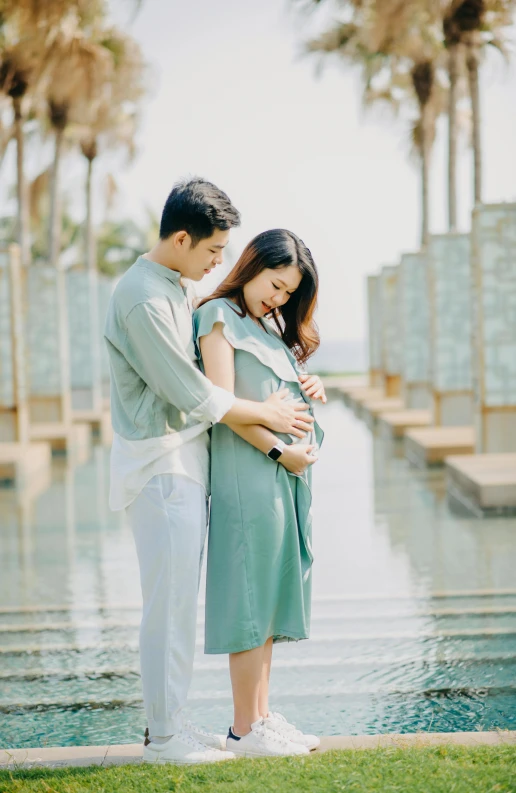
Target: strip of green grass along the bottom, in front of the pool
column 485, row 769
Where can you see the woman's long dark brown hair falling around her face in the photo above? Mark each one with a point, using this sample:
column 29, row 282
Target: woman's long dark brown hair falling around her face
column 274, row 249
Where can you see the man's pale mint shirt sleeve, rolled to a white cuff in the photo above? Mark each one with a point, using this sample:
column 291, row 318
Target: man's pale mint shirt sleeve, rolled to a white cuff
column 156, row 352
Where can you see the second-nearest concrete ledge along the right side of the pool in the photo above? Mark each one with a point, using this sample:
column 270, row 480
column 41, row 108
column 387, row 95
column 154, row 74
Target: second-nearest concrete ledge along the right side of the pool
column 430, row 445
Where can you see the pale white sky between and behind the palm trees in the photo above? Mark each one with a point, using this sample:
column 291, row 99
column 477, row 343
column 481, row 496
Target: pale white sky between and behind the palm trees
column 233, row 102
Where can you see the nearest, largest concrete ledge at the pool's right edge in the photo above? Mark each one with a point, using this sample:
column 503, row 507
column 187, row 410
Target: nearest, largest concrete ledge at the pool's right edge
column 483, row 481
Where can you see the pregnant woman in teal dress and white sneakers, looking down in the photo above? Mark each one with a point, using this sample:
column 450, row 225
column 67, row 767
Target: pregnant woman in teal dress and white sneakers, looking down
column 259, row 548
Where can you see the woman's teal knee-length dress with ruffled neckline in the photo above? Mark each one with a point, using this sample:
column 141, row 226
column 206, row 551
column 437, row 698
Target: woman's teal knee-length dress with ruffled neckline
column 259, row 545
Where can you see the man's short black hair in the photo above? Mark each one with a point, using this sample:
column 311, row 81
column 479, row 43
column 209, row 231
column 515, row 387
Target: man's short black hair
column 198, row 207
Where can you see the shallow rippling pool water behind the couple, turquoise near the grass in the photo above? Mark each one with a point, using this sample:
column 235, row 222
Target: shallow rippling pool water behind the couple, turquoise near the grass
column 414, row 609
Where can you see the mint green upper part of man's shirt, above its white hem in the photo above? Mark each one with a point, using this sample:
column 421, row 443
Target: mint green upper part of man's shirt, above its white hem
column 156, row 385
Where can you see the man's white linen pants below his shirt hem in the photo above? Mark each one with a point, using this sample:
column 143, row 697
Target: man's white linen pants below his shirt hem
column 168, row 519
